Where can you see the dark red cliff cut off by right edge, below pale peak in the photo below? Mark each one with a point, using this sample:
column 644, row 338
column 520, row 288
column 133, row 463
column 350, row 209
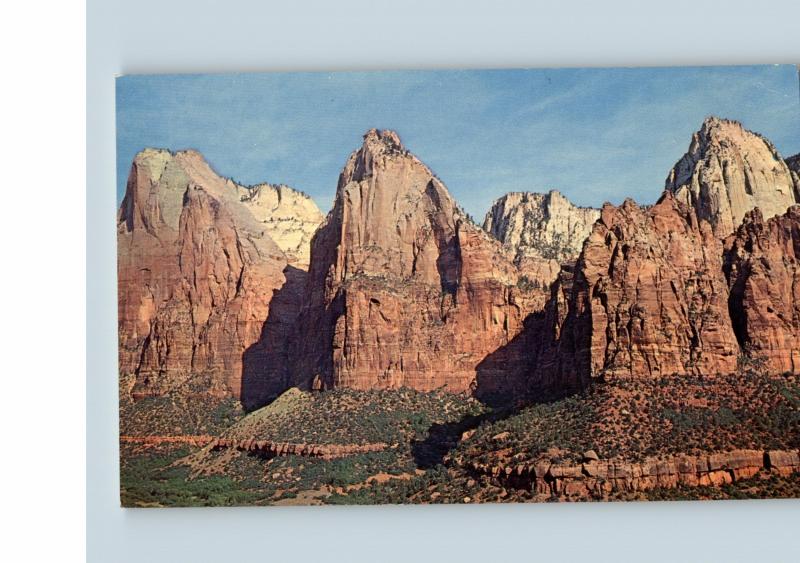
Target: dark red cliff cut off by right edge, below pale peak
column 763, row 268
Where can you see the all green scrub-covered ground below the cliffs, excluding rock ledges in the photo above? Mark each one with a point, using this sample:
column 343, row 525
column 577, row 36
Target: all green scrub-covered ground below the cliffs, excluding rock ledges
column 430, row 435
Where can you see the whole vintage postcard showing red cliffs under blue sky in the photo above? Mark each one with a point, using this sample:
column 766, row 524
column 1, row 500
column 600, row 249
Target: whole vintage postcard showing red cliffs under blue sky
column 459, row 286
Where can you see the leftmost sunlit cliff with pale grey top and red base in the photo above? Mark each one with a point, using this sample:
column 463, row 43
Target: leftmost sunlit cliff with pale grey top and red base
column 197, row 274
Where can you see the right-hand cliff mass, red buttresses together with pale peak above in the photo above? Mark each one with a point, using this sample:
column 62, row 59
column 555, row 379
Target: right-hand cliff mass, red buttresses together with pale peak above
column 655, row 292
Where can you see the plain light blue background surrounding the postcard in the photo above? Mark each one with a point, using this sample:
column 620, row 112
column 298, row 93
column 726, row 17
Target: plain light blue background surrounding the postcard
column 148, row 36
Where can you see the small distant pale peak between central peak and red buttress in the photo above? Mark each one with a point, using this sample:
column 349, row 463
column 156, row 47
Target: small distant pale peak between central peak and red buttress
column 540, row 231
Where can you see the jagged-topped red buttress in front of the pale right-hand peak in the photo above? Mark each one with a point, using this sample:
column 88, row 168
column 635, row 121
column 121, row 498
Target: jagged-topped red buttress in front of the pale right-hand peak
column 648, row 298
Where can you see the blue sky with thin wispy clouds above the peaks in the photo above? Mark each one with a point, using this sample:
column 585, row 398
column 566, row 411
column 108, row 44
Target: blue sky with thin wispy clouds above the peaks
column 594, row 134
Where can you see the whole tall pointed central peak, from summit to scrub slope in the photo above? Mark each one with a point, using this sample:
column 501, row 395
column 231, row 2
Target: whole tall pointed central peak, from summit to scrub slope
column 403, row 290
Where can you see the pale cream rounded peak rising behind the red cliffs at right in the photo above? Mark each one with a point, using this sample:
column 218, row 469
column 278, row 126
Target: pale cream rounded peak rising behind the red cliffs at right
column 728, row 171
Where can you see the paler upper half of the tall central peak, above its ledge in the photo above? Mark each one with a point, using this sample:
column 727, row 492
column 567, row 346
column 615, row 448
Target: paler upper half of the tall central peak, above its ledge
column 391, row 215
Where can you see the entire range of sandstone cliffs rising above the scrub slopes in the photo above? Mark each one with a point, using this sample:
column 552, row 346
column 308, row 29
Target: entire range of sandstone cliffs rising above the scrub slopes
column 403, row 290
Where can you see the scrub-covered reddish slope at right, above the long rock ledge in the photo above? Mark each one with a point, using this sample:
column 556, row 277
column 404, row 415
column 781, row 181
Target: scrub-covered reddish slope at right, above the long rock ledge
column 633, row 419
